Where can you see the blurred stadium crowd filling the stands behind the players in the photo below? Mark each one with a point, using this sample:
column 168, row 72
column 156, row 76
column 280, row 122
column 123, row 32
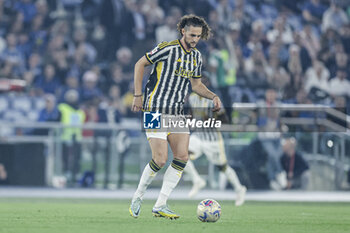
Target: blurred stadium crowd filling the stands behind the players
column 298, row 48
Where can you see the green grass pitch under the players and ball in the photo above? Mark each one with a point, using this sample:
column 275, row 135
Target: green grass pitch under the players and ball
column 112, row 216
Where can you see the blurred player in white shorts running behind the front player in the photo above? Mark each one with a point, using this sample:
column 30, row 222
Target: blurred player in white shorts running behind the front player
column 210, row 143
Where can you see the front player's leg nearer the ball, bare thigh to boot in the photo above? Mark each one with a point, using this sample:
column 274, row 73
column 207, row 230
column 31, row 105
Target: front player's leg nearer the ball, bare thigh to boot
column 179, row 145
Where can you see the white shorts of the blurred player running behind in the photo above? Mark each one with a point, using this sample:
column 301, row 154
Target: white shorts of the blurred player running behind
column 213, row 150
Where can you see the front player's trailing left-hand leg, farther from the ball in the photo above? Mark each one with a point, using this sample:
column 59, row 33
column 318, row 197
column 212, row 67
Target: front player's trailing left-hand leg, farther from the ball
column 159, row 147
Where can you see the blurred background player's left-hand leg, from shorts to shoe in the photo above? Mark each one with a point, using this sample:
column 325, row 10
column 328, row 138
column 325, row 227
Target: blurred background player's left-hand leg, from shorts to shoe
column 195, row 151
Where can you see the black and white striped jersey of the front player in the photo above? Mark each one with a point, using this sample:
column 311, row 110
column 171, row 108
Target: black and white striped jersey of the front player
column 169, row 82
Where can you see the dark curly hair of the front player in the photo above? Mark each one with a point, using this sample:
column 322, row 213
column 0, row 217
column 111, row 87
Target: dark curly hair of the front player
column 196, row 21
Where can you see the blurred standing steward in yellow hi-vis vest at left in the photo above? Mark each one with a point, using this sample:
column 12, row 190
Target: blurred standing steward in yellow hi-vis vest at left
column 71, row 137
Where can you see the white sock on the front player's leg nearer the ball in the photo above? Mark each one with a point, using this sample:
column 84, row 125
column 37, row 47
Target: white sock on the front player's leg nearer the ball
column 171, row 178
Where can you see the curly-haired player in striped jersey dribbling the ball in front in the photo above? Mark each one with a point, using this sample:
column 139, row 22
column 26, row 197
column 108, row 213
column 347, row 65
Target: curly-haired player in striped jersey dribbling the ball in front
column 177, row 65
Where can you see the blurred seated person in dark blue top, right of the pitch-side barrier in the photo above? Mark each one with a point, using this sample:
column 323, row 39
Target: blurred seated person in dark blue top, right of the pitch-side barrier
column 295, row 166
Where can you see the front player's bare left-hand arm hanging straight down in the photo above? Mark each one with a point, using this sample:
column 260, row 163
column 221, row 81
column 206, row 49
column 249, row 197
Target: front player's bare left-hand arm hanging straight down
column 138, row 76
